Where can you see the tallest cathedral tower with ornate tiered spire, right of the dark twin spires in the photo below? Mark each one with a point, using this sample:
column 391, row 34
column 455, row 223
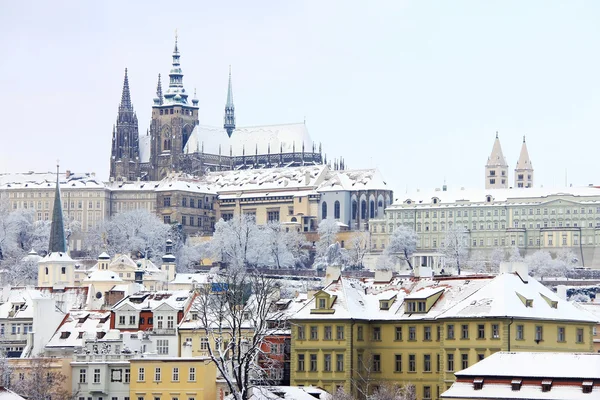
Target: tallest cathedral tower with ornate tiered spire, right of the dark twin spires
column 173, row 120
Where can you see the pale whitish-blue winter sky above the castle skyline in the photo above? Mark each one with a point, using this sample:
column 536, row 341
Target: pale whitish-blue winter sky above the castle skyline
column 416, row 88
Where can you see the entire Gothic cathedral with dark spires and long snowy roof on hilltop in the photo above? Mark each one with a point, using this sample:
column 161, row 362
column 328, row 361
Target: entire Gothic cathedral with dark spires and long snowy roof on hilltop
column 176, row 142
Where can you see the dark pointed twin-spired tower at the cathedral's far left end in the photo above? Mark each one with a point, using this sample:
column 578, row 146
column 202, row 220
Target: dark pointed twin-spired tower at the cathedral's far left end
column 125, row 153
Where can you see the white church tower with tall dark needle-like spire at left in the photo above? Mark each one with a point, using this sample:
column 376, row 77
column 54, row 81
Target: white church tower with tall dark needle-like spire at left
column 57, row 268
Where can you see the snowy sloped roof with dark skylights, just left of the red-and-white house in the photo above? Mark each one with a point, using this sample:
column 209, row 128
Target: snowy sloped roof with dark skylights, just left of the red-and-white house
column 79, row 326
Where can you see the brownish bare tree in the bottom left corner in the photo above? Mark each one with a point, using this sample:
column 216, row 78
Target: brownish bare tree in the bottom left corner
column 38, row 380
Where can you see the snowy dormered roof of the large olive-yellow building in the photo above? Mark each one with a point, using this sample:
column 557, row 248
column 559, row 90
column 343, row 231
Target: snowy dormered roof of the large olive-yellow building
column 460, row 297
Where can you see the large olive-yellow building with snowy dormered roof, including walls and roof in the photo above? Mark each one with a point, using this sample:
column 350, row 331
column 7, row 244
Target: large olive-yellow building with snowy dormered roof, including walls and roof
column 357, row 334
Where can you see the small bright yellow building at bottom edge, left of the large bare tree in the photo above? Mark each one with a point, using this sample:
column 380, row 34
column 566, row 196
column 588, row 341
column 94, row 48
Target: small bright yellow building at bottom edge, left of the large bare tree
column 161, row 378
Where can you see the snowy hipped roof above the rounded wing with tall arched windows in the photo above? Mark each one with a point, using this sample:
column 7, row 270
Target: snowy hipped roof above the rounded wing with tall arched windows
column 353, row 179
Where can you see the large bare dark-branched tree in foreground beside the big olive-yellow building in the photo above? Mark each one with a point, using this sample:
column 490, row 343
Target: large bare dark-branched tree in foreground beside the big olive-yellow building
column 235, row 314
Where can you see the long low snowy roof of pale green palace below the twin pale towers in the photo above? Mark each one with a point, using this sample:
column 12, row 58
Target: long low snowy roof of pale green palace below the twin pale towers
column 473, row 195
